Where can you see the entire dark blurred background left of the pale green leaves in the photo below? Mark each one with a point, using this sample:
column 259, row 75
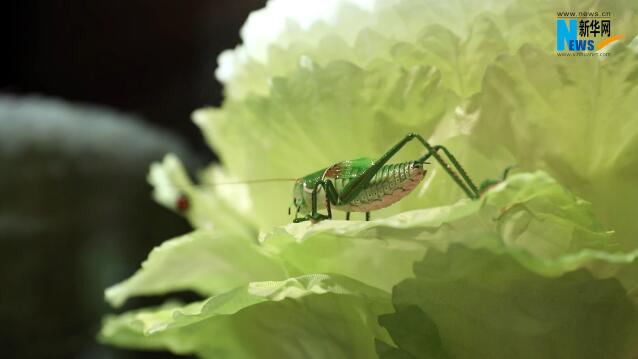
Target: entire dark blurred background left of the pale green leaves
column 75, row 221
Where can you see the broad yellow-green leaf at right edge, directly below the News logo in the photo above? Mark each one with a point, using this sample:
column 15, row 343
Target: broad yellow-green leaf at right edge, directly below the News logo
column 575, row 119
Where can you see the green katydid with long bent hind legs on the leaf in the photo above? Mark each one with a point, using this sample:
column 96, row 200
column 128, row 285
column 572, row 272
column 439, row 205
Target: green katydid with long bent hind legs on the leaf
column 365, row 185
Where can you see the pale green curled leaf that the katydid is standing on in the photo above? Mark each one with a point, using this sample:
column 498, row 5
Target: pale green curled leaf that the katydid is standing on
column 528, row 213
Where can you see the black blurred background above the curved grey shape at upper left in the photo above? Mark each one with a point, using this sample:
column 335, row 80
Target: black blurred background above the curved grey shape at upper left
column 154, row 58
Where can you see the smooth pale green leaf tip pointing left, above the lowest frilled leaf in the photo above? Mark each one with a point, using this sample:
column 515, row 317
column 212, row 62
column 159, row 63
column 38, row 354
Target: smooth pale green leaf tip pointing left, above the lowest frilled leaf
column 206, row 262
